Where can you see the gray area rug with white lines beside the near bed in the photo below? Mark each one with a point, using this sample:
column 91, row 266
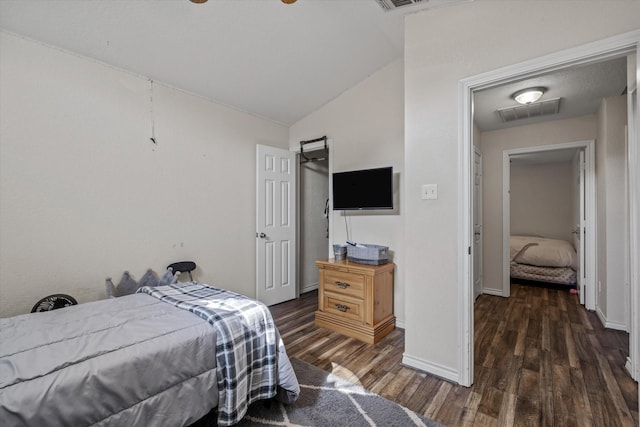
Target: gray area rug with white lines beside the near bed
column 328, row 400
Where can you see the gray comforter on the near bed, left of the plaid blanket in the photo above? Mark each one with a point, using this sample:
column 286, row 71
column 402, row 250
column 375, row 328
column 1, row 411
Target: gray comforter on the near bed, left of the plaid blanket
column 126, row 361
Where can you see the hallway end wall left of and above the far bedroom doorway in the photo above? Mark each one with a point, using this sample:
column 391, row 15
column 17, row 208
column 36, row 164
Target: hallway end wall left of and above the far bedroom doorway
column 493, row 144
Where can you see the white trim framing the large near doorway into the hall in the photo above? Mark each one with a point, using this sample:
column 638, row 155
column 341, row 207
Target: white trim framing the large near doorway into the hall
column 603, row 49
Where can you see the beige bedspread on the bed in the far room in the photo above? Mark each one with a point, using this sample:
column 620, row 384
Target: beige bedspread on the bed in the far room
column 542, row 252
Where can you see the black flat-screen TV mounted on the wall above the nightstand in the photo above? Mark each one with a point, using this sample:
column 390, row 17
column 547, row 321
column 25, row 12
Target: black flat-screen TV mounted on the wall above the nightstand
column 363, row 189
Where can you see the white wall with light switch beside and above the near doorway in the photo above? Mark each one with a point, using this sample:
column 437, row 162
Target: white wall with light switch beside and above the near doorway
column 443, row 46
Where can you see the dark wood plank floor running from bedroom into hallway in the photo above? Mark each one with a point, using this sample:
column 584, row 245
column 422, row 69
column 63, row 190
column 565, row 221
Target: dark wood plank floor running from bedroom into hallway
column 540, row 359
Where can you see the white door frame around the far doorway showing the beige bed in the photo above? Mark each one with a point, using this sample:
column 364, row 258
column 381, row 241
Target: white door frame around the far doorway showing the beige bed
column 590, row 212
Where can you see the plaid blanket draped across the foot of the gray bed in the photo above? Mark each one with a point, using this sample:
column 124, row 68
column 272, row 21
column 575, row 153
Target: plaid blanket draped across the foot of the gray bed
column 246, row 347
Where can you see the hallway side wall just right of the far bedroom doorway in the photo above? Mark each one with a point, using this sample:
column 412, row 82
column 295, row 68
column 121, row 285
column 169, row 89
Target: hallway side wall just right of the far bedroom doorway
column 611, row 167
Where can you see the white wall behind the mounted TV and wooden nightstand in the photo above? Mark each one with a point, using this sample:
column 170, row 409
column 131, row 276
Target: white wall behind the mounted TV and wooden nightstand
column 366, row 126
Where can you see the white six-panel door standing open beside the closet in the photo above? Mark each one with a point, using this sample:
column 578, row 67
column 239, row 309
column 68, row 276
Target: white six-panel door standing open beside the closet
column 275, row 225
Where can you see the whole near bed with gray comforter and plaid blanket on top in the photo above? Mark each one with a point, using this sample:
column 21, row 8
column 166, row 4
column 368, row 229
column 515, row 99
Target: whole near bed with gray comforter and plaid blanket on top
column 137, row 360
